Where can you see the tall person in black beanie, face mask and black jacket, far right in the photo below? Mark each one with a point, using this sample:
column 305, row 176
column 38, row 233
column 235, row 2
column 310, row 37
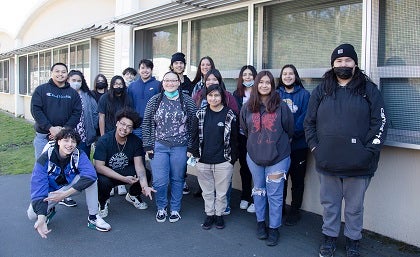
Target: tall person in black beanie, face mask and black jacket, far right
column 345, row 128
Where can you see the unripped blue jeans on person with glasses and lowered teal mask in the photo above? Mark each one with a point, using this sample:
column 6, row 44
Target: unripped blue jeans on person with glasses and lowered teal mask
column 168, row 166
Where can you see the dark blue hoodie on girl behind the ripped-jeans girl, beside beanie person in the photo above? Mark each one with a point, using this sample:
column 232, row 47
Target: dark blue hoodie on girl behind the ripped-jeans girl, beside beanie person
column 298, row 104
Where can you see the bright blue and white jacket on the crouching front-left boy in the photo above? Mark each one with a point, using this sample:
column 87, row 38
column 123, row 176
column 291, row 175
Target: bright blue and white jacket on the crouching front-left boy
column 47, row 169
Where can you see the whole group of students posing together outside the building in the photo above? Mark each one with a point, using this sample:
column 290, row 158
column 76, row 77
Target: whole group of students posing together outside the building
column 177, row 120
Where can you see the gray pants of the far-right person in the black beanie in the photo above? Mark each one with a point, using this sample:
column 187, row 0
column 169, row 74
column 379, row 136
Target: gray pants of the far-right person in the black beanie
column 333, row 190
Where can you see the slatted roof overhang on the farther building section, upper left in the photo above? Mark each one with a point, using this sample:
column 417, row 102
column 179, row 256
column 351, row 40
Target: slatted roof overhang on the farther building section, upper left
column 84, row 33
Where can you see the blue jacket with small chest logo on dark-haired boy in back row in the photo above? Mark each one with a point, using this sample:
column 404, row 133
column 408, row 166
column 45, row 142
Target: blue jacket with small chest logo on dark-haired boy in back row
column 141, row 92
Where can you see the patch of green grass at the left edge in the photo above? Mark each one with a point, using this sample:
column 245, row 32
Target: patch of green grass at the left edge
column 16, row 150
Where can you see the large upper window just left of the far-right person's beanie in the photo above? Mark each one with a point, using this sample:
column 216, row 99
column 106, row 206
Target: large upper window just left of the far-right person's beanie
column 304, row 33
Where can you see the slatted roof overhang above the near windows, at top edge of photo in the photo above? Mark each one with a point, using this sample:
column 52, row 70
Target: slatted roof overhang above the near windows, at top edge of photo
column 174, row 9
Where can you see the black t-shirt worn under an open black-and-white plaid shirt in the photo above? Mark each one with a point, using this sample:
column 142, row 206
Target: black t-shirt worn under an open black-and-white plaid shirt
column 213, row 137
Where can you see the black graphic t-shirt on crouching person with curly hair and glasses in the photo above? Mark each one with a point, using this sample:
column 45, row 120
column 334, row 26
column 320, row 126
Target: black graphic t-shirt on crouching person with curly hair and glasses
column 115, row 156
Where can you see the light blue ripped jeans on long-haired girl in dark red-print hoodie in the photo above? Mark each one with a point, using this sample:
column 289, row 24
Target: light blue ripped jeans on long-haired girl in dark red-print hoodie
column 268, row 188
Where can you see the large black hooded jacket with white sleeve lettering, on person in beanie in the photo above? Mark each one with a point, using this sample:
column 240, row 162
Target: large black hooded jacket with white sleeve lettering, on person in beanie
column 346, row 130
